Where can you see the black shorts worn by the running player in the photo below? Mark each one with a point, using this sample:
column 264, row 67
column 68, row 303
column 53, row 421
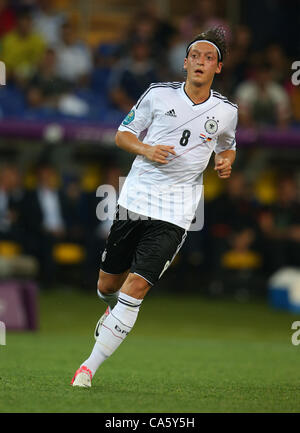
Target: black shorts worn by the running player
column 145, row 246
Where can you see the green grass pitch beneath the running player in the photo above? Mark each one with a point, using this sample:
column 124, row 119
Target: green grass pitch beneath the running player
column 187, row 354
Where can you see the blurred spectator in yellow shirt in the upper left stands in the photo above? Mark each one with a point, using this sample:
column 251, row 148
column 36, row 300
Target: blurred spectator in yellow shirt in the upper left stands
column 22, row 49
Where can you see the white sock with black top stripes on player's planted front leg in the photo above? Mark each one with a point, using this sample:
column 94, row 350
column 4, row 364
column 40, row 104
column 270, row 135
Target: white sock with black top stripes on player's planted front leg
column 114, row 330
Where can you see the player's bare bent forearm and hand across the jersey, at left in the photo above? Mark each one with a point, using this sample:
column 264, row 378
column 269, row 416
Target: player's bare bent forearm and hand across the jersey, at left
column 130, row 143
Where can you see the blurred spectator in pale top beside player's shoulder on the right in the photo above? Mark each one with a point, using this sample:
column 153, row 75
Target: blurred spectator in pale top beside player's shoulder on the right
column 262, row 101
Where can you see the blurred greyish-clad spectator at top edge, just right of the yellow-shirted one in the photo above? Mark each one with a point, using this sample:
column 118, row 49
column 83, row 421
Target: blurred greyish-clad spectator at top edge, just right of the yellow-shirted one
column 48, row 22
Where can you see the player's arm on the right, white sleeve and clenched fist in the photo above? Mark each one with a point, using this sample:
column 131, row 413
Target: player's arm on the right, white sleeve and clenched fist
column 225, row 150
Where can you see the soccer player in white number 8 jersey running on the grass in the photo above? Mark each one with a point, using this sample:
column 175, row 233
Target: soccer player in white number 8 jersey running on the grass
column 186, row 122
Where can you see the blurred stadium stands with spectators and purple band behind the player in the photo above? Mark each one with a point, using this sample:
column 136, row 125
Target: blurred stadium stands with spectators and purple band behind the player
column 74, row 69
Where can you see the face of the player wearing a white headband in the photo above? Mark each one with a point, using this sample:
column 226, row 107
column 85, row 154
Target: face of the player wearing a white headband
column 202, row 64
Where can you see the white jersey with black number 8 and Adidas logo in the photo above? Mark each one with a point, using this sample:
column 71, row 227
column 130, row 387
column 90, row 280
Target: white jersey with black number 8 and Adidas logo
column 171, row 192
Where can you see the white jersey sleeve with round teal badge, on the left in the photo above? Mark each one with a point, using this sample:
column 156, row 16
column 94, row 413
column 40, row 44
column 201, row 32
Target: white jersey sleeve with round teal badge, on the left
column 140, row 116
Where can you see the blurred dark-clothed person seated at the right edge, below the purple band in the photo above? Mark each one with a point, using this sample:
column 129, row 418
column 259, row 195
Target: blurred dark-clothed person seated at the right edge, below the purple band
column 280, row 226
